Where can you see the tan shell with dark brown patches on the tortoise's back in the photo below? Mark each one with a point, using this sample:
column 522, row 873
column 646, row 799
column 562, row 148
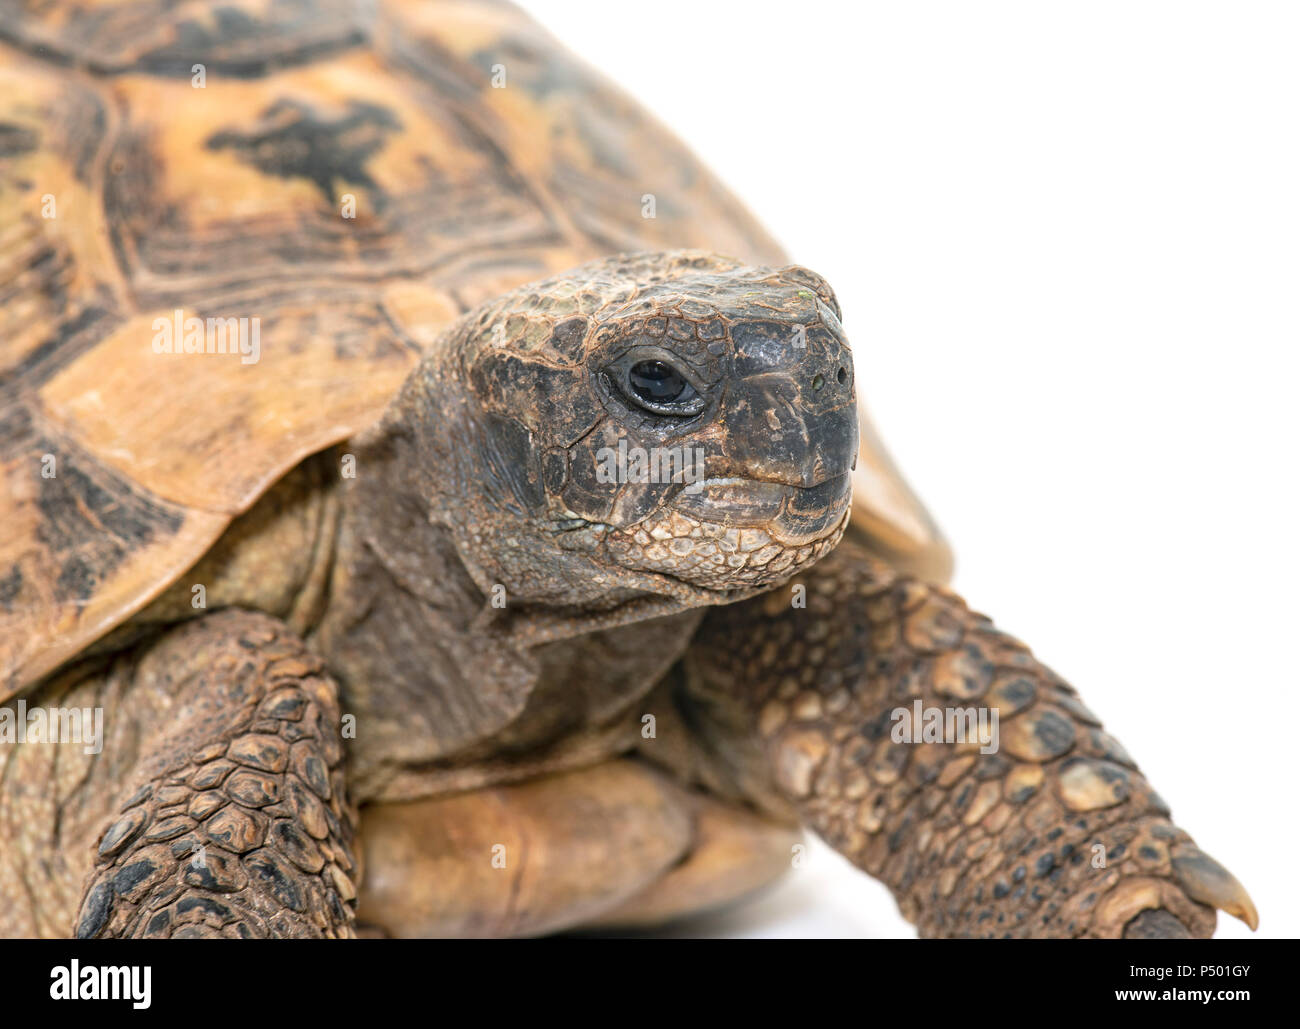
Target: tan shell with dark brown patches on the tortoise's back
column 350, row 177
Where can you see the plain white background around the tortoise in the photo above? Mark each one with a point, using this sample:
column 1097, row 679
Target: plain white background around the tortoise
column 1067, row 241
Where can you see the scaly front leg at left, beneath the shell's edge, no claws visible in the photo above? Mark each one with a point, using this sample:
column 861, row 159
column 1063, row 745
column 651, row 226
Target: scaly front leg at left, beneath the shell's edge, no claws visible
column 236, row 822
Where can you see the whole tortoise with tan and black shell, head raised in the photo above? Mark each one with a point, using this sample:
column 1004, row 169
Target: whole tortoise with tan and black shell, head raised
column 415, row 526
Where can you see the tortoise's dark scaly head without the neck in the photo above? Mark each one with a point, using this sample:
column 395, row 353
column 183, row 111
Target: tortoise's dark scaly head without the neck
column 671, row 423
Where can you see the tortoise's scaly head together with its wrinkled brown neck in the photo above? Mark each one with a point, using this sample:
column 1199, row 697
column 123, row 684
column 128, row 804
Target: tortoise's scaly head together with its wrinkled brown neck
column 484, row 481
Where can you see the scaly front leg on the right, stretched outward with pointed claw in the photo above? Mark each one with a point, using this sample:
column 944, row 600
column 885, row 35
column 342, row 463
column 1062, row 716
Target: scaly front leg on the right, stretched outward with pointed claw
column 1055, row 833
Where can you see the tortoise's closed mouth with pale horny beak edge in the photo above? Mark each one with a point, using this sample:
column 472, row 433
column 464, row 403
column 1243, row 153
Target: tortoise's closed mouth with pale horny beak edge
column 791, row 515
